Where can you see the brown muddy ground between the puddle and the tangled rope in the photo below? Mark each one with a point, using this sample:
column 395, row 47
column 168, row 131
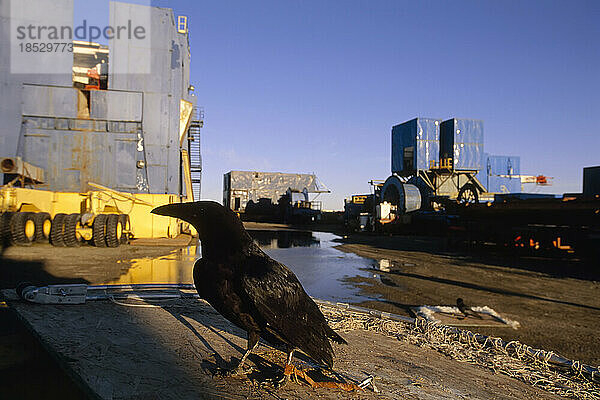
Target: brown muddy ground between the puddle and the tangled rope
column 557, row 302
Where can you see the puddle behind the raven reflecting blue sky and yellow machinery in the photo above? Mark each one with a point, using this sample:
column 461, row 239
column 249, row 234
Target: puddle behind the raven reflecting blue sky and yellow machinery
column 319, row 267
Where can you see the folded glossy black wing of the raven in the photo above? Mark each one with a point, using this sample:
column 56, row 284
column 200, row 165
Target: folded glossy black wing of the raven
column 286, row 309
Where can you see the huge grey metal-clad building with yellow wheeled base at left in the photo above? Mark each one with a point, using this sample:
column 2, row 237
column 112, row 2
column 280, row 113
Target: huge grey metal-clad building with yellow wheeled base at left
column 108, row 124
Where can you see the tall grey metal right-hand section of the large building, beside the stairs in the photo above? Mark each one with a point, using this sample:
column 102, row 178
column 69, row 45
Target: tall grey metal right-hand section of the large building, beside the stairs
column 168, row 83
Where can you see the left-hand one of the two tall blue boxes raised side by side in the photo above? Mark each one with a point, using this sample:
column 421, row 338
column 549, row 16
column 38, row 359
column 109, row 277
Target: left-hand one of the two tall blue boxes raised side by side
column 415, row 144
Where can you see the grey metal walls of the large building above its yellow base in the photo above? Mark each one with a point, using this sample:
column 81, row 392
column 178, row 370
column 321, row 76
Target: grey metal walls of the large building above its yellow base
column 136, row 121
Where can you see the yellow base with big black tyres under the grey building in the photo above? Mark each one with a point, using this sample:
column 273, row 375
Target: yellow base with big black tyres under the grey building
column 103, row 217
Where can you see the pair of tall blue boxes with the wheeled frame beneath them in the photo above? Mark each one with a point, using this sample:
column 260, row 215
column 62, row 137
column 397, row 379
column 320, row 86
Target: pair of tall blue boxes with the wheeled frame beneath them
column 440, row 158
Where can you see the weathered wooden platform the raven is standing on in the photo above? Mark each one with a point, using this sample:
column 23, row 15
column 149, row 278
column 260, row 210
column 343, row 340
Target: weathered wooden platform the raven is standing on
column 172, row 351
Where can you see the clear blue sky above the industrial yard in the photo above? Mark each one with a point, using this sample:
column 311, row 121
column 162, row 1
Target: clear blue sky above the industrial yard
column 315, row 86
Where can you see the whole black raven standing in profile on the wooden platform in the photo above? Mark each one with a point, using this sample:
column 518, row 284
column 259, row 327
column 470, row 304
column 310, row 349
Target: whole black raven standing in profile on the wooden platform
column 250, row 289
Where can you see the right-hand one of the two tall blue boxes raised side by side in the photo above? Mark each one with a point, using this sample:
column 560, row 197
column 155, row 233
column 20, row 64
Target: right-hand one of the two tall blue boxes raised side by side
column 462, row 140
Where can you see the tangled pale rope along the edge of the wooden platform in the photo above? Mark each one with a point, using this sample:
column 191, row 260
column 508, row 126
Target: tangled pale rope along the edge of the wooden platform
column 538, row 368
